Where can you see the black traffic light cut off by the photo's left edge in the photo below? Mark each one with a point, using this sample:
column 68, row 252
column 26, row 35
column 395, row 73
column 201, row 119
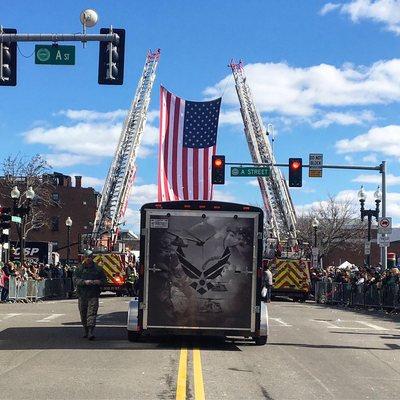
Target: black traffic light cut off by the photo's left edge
column 8, row 61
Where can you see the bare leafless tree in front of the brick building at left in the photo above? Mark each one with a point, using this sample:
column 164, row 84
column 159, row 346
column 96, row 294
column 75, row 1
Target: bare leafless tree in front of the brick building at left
column 26, row 172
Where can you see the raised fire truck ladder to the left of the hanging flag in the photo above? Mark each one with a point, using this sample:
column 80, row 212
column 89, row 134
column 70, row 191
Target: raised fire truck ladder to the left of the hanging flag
column 119, row 182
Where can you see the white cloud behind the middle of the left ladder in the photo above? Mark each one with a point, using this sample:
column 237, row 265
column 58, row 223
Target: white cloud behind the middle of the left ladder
column 88, row 140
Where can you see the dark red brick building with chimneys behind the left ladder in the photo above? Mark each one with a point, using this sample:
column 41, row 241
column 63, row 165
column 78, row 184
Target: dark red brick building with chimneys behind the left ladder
column 68, row 200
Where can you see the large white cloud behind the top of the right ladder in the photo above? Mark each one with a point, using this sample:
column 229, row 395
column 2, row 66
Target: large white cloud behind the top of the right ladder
column 307, row 92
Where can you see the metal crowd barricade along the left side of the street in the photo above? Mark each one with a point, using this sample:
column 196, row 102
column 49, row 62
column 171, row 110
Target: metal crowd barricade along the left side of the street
column 33, row 290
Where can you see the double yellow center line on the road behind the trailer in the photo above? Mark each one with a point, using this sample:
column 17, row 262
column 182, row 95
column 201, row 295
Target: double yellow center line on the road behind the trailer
column 181, row 385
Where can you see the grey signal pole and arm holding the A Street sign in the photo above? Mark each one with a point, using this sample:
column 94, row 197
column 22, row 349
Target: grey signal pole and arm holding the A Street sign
column 381, row 168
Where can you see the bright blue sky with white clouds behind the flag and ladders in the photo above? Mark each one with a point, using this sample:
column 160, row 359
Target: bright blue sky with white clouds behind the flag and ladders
column 327, row 75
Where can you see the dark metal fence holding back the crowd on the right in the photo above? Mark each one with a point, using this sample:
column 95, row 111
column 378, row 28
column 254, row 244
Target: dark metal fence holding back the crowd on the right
column 363, row 295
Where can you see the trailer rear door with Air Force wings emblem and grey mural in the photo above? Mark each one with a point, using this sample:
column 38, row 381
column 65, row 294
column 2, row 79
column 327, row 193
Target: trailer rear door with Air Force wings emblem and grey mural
column 200, row 269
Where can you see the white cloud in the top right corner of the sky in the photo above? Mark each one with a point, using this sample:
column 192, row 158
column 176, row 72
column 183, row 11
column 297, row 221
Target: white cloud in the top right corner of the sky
column 386, row 12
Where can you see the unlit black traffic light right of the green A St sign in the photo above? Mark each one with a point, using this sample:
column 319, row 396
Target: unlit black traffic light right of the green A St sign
column 116, row 77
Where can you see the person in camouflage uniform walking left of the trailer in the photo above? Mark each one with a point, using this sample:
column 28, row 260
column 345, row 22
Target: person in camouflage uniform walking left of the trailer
column 88, row 279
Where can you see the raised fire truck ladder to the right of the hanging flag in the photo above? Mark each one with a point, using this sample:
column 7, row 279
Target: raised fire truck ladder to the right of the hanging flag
column 278, row 205
